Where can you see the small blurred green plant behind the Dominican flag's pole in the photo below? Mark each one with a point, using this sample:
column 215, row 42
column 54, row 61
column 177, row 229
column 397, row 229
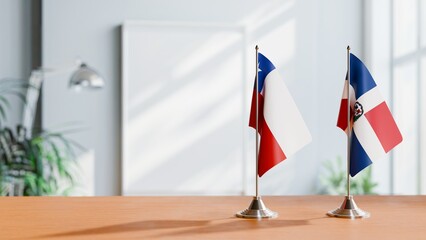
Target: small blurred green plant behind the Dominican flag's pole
column 334, row 180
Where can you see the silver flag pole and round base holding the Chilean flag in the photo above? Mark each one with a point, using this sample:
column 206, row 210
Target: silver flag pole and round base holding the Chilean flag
column 257, row 208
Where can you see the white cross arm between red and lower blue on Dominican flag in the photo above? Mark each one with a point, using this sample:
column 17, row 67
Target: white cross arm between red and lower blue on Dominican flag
column 368, row 139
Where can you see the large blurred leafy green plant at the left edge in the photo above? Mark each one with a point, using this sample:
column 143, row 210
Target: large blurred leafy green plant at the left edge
column 41, row 164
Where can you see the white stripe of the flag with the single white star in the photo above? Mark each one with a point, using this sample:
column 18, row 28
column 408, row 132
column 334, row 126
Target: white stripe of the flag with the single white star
column 283, row 117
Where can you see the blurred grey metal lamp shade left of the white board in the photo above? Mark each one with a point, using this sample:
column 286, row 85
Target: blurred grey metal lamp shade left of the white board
column 86, row 77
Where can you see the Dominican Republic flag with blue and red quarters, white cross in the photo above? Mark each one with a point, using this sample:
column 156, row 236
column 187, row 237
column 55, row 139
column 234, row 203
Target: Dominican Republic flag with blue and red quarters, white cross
column 374, row 131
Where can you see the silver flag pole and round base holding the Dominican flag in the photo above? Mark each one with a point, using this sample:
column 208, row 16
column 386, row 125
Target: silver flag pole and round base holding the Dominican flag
column 348, row 209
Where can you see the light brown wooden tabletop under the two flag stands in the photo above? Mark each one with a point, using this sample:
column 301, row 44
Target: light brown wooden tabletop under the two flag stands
column 300, row 217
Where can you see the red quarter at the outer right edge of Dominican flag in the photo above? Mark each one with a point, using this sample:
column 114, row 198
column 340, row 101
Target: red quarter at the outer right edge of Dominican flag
column 384, row 126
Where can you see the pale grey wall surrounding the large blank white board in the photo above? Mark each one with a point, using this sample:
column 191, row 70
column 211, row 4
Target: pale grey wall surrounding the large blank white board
column 306, row 40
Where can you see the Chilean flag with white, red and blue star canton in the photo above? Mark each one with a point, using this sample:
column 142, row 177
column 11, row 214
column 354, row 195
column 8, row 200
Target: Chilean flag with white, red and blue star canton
column 281, row 127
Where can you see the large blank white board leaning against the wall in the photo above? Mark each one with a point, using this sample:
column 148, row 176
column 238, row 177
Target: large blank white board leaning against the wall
column 183, row 109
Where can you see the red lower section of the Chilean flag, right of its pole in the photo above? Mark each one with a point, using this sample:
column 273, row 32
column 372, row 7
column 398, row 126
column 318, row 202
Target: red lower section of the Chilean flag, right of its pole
column 270, row 152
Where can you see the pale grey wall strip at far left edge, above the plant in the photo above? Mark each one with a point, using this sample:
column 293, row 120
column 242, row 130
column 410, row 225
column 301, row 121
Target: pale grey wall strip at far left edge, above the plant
column 15, row 47
